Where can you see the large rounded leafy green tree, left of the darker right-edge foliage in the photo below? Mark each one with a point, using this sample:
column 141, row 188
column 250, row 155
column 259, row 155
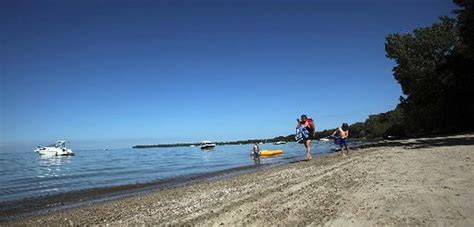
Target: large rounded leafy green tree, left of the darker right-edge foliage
column 422, row 58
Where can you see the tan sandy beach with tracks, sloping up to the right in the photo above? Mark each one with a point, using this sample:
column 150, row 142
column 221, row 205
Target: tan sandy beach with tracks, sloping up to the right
column 407, row 182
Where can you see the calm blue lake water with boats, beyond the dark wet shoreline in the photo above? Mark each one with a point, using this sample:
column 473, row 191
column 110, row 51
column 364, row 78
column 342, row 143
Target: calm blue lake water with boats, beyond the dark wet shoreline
column 25, row 174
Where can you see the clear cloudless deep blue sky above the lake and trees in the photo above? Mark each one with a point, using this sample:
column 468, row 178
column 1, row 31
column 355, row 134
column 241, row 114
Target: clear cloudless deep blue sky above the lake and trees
column 176, row 71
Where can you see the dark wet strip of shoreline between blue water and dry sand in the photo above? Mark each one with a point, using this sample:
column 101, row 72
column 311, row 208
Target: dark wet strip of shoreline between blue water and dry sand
column 12, row 210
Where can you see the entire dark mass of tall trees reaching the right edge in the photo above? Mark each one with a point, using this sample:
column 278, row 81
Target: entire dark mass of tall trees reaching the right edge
column 434, row 70
